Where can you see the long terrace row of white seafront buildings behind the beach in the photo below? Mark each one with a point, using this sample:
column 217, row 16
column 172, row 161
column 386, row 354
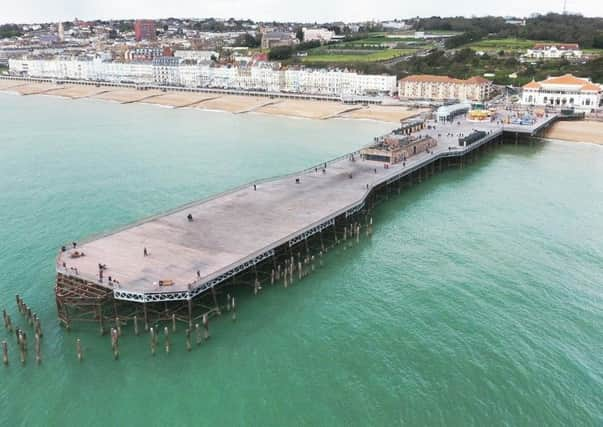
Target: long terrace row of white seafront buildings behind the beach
column 172, row 71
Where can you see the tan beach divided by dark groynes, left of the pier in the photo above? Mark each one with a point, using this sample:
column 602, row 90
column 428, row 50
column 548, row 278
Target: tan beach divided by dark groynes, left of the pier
column 234, row 104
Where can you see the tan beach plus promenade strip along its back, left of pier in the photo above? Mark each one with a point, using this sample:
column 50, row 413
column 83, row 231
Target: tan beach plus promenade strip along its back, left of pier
column 322, row 107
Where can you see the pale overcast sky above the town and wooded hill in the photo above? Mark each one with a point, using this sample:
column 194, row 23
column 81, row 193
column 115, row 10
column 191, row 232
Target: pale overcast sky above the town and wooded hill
column 31, row 11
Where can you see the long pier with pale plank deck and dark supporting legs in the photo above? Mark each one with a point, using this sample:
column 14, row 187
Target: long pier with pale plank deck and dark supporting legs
column 177, row 265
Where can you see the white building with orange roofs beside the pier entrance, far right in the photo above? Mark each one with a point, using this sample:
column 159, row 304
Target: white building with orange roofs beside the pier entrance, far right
column 565, row 91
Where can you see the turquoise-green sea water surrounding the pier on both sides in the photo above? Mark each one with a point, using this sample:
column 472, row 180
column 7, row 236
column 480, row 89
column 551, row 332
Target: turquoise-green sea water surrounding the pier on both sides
column 478, row 300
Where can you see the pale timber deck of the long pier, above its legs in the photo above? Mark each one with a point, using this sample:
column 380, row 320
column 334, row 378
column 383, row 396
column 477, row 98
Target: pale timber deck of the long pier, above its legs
column 197, row 247
